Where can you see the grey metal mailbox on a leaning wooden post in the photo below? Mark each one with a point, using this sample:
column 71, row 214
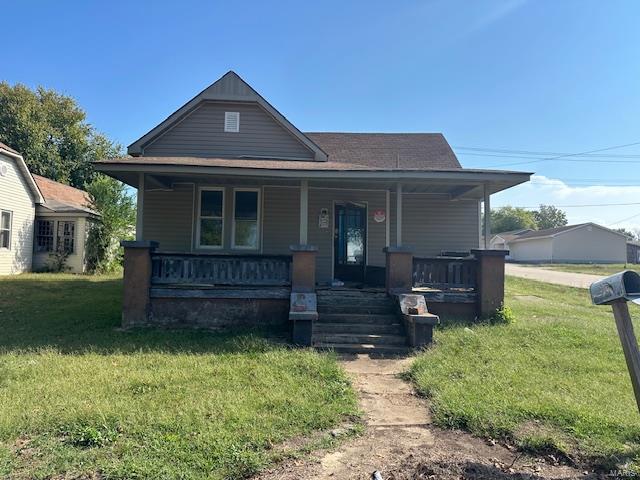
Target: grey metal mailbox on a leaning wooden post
column 616, row 290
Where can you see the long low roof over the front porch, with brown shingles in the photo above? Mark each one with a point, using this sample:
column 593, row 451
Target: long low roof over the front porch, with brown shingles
column 456, row 182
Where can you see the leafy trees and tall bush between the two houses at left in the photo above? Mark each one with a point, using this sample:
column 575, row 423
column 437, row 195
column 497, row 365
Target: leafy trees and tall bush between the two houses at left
column 51, row 132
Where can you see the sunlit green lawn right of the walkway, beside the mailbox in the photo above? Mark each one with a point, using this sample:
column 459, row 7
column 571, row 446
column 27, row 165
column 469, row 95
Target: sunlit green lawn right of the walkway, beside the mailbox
column 556, row 379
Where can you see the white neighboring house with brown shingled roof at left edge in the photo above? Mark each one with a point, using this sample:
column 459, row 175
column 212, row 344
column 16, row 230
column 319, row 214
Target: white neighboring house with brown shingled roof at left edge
column 38, row 216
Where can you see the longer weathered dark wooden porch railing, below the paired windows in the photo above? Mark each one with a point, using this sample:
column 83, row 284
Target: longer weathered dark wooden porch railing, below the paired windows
column 267, row 270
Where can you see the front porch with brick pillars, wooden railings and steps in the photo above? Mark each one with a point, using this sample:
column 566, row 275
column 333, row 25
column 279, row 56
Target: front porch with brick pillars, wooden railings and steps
column 227, row 251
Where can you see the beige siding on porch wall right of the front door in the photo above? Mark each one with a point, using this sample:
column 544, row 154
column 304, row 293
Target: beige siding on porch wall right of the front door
column 431, row 224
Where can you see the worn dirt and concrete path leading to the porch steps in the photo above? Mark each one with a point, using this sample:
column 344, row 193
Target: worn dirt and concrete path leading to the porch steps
column 401, row 442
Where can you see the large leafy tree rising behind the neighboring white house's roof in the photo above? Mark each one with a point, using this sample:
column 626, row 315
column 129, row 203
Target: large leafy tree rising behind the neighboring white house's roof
column 51, row 132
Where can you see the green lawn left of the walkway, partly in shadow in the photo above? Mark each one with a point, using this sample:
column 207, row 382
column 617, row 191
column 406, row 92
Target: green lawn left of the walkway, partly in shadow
column 79, row 397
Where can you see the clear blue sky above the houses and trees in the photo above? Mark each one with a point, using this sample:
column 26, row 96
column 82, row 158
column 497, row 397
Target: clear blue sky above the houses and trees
column 537, row 75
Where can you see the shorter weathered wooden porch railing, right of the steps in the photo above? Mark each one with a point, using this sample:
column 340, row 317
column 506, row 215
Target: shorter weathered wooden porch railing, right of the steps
column 445, row 273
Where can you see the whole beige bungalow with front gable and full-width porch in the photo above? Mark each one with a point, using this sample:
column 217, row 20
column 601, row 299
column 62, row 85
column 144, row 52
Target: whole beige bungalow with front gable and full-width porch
column 238, row 208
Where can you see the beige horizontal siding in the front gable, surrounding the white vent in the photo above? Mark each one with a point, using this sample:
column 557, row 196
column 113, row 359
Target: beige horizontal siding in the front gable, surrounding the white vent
column 201, row 133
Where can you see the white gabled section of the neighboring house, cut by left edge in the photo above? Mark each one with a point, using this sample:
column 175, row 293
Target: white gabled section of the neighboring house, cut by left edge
column 18, row 198
